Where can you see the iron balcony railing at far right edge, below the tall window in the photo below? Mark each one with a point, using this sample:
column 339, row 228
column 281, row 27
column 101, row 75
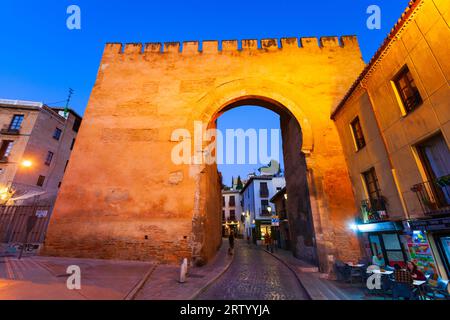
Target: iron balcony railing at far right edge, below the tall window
column 434, row 196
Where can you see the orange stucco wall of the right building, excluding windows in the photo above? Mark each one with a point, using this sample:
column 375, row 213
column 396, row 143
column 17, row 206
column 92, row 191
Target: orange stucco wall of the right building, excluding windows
column 423, row 46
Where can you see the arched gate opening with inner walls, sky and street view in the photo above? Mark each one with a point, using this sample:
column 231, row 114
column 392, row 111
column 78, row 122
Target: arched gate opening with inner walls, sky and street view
column 246, row 205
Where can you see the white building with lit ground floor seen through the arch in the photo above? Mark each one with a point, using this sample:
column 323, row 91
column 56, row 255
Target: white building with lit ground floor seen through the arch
column 257, row 209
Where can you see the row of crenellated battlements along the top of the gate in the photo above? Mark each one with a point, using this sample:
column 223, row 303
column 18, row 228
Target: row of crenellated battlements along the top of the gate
column 214, row 46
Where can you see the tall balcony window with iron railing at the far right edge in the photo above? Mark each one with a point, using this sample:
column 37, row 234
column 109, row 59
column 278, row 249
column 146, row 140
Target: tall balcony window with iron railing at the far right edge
column 434, row 194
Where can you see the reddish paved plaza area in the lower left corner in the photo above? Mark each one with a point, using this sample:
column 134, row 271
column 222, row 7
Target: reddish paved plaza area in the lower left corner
column 44, row 278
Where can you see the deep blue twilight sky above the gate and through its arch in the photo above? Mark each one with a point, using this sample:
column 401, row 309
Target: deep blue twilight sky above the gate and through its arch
column 40, row 58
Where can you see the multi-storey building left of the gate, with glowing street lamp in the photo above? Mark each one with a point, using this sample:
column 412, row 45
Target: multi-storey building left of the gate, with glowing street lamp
column 35, row 146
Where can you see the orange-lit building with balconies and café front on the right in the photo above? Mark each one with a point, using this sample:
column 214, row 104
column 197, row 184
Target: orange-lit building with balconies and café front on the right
column 394, row 125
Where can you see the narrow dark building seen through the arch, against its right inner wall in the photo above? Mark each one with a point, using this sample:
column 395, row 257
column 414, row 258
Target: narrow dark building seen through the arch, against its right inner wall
column 282, row 229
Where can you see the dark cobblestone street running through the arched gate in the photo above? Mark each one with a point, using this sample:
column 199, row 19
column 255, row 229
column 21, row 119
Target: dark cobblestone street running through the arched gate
column 255, row 275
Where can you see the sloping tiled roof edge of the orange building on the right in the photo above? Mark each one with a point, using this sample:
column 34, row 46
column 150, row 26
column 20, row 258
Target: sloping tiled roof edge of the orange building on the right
column 413, row 4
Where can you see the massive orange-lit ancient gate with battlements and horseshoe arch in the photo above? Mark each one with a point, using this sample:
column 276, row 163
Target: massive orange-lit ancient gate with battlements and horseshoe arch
column 124, row 198
